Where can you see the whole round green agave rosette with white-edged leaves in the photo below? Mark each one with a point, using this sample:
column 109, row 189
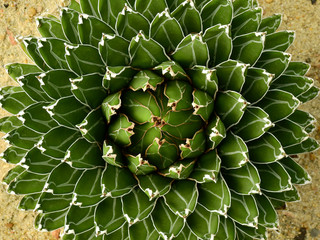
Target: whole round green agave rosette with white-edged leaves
column 150, row 119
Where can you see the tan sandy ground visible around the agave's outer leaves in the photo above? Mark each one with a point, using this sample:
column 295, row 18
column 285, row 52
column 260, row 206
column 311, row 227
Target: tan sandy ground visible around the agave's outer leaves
column 298, row 222
